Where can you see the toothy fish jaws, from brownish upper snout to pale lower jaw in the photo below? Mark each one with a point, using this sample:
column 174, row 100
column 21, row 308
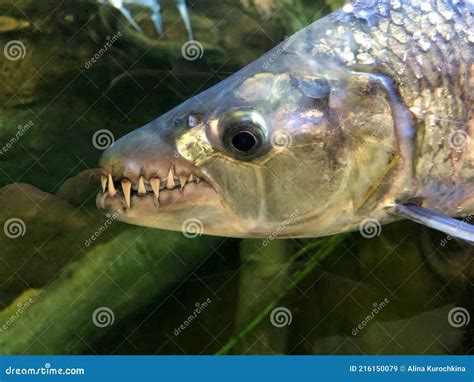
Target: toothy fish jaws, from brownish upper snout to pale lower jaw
column 145, row 182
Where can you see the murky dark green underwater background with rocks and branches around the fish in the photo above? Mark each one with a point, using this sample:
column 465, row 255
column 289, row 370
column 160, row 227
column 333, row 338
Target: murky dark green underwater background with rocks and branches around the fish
column 74, row 281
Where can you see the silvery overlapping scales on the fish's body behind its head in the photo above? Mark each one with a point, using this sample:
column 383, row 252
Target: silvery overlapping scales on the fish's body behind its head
column 441, row 85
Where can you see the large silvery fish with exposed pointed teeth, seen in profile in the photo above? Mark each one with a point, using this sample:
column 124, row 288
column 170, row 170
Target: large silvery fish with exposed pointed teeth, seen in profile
column 360, row 119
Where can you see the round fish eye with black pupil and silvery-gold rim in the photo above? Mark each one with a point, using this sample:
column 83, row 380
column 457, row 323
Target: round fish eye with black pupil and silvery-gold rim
column 243, row 133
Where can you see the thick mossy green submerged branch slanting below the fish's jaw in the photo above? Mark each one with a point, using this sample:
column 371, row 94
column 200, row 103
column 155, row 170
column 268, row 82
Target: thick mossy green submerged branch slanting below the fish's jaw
column 108, row 283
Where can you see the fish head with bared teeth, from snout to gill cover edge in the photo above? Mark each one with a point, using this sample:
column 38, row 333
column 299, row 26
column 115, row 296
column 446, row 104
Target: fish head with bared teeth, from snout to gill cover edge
column 277, row 147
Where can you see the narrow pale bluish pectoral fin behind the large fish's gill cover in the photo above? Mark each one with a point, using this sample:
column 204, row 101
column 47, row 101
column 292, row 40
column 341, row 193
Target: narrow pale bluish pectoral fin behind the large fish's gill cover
column 437, row 221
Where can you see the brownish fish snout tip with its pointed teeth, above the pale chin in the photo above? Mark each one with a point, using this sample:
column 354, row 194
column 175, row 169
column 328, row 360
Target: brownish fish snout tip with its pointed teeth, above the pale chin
column 143, row 166
